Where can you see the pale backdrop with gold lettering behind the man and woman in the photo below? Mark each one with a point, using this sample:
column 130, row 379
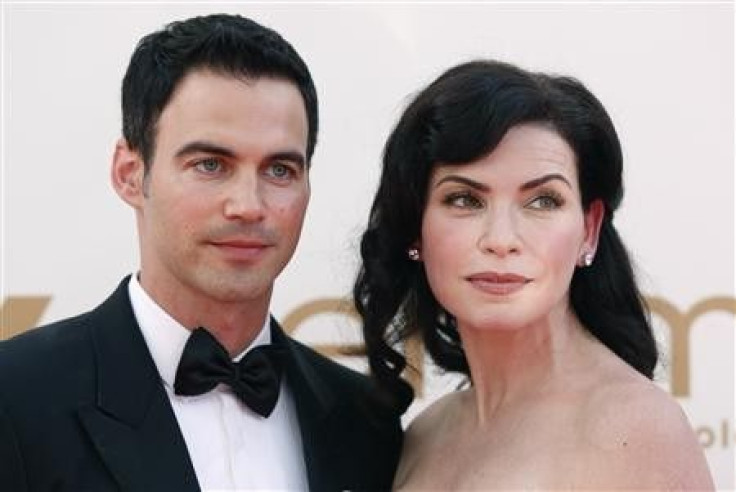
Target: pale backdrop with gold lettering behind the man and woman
column 665, row 72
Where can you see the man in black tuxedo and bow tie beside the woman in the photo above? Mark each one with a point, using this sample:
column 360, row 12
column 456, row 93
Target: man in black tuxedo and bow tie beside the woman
column 180, row 380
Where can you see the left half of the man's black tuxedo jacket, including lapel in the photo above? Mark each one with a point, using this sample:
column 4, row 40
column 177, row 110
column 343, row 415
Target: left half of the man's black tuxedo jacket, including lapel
column 82, row 408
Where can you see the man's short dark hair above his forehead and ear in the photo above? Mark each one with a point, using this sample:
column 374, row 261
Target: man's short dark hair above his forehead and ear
column 226, row 44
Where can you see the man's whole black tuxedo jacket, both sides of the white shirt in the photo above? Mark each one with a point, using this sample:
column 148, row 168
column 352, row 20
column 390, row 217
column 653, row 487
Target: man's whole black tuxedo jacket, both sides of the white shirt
column 82, row 407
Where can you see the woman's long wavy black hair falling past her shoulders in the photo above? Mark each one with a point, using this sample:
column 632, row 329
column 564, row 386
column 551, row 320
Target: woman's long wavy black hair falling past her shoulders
column 461, row 117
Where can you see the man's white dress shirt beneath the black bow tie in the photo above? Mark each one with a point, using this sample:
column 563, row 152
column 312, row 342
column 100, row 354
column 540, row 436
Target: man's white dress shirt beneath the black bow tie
column 231, row 447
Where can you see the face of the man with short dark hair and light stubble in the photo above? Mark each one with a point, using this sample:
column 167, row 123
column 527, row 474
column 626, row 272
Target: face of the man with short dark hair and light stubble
column 224, row 200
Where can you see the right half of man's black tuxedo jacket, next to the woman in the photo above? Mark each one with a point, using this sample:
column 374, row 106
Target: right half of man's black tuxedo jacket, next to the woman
column 353, row 434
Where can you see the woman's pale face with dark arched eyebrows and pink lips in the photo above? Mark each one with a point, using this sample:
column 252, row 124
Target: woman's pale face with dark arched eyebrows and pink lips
column 502, row 235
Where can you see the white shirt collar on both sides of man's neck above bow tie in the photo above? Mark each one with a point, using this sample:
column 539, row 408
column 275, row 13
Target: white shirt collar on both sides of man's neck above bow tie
column 166, row 337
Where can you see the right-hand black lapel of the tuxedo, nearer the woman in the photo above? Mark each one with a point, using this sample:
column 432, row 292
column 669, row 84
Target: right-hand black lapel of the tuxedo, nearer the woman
column 315, row 405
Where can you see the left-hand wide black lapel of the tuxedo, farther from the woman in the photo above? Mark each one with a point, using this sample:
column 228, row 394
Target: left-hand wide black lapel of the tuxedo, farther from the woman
column 132, row 425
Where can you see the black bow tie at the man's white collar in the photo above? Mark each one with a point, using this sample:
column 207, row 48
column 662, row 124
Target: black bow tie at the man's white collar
column 255, row 379
